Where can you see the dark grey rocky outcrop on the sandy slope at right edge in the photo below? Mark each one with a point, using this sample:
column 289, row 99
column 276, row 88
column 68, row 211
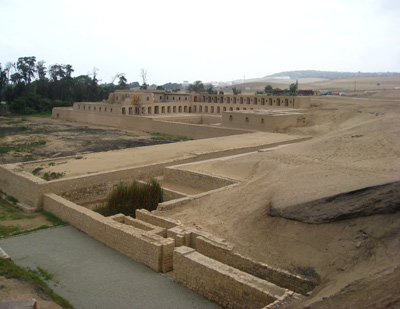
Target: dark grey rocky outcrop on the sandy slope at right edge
column 382, row 199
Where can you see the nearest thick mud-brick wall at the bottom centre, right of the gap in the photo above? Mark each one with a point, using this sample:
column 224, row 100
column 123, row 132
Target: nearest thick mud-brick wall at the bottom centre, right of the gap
column 222, row 284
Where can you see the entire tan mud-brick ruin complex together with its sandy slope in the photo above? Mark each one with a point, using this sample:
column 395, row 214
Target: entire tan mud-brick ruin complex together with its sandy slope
column 270, row 202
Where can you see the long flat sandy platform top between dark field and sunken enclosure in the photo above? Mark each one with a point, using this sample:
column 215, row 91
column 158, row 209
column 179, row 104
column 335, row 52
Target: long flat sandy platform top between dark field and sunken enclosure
column 113, row 160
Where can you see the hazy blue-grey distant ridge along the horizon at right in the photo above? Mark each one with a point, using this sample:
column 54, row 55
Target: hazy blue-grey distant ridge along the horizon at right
column 328, row 74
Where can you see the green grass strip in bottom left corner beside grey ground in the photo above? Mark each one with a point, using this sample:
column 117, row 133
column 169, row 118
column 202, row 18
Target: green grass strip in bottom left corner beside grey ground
column 10, row 270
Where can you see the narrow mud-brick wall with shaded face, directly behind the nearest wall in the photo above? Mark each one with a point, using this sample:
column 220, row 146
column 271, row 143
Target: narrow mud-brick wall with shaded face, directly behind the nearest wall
column 223, row 253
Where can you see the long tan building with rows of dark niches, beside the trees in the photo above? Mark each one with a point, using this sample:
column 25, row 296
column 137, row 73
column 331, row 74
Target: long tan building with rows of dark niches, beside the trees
column 149, row 102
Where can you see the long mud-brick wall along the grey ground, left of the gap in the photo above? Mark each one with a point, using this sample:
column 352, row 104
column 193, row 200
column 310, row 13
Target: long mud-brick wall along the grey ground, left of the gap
column 145, row 247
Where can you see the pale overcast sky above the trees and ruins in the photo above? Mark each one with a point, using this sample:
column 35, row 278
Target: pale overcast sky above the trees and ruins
column 203, row 40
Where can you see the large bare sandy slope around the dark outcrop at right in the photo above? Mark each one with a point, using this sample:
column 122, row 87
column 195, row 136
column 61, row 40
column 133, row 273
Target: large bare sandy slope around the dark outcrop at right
column 355, row 144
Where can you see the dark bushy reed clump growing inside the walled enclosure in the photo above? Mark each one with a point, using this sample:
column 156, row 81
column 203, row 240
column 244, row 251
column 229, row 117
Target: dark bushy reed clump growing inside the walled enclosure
column 126, row 199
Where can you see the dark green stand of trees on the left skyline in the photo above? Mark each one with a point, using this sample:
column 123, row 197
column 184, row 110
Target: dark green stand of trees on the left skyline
column 29, row 86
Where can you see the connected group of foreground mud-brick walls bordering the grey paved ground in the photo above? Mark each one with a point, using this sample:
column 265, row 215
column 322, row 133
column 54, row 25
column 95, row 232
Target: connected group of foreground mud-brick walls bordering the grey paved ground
column 210, row 267
